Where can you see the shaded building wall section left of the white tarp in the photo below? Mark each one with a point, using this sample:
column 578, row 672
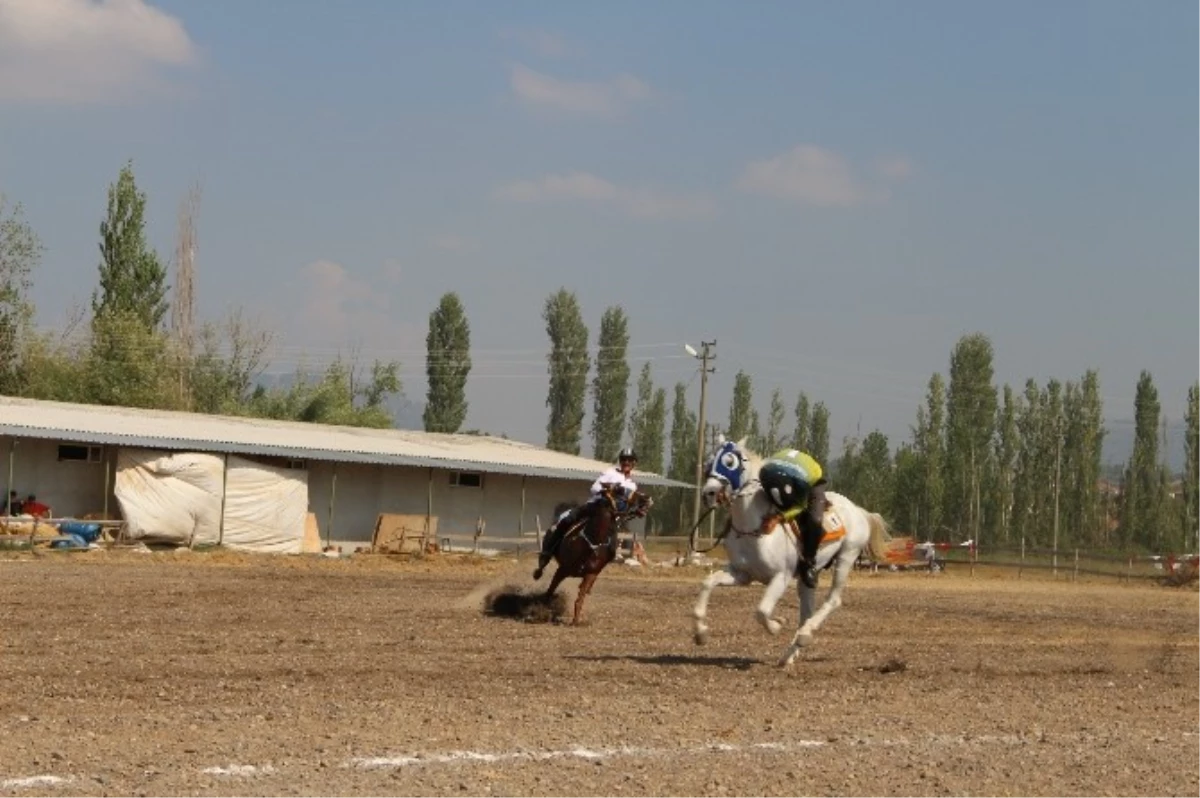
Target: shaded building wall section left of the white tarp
column 69, row 488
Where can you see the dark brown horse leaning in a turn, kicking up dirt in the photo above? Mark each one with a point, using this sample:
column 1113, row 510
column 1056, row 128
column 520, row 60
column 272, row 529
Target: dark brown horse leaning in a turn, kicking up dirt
column 589, row 547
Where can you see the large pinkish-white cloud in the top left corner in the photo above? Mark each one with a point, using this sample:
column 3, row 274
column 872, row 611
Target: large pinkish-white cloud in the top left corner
column 87, row 51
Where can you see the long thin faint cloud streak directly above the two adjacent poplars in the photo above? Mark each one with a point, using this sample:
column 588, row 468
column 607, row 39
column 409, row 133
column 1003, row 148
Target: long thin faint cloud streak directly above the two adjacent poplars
column 583, row 187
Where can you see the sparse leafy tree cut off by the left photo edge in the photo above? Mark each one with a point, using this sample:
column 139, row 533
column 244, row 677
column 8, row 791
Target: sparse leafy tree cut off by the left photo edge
column 21, row 251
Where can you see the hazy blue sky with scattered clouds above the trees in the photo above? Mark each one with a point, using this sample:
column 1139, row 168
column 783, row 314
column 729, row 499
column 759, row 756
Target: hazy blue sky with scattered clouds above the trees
column 835, row 193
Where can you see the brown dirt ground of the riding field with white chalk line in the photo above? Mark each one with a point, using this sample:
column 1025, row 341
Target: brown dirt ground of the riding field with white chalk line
column 220, row 675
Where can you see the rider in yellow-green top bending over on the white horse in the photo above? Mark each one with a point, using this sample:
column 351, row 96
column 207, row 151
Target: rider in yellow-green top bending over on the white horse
column 795, row 484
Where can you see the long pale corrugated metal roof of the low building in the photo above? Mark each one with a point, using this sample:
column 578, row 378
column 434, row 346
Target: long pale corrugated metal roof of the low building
column 237, row 435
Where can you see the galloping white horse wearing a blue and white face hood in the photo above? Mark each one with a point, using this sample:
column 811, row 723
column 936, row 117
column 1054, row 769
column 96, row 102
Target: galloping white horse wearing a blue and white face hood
column 761, row 549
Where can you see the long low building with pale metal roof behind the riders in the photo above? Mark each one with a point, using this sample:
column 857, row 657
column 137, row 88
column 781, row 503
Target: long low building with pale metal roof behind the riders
column 70, row 457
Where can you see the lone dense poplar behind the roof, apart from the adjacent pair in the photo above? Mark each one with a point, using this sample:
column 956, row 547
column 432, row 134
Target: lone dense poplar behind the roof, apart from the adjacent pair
column 447, row 367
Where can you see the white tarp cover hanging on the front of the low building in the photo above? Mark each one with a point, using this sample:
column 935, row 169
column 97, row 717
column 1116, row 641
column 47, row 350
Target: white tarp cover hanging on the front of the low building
column 177, row 499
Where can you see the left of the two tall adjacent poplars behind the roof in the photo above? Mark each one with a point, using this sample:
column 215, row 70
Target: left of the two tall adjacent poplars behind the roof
column 569, row 364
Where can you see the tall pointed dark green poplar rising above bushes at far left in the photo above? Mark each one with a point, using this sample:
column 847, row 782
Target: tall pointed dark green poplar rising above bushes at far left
column 133, row 281
